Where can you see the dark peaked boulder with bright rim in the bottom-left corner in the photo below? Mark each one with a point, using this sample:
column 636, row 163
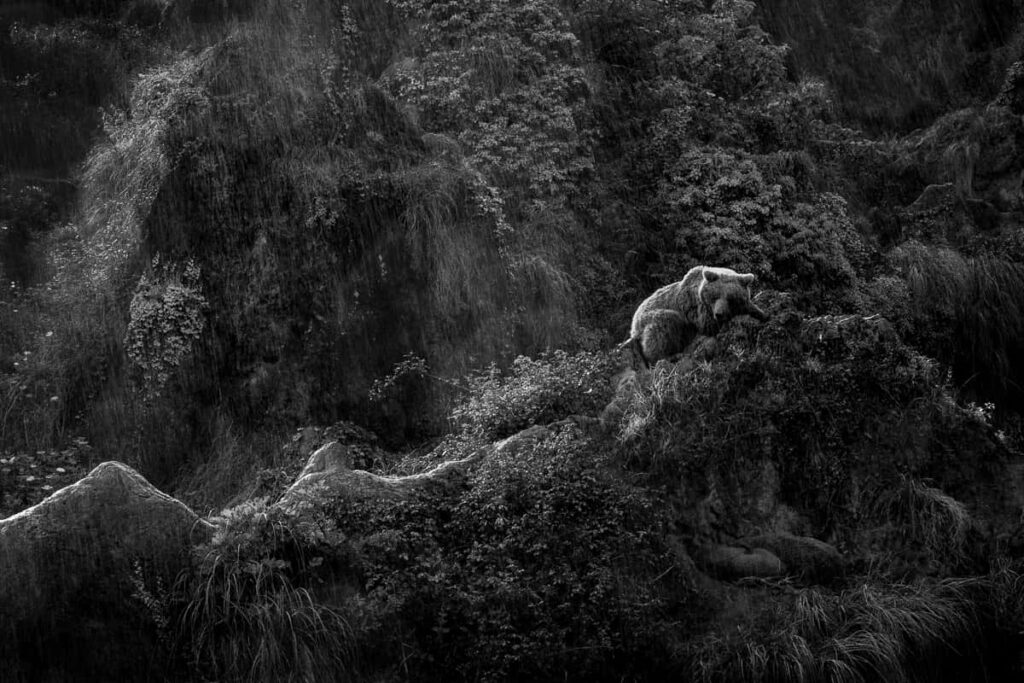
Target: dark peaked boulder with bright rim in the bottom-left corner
column 71, row 564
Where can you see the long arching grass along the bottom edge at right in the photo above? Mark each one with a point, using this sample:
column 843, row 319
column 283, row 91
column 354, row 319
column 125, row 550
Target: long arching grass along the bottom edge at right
column 898, row 633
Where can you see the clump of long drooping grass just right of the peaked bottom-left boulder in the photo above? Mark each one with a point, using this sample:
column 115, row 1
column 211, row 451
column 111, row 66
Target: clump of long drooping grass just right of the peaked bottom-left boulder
column 249, row 614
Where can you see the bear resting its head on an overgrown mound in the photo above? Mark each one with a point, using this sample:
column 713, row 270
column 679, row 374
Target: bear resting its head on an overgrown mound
column 698, row 306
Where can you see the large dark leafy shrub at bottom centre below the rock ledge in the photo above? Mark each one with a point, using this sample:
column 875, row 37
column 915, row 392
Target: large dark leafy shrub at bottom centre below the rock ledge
column 549, row 568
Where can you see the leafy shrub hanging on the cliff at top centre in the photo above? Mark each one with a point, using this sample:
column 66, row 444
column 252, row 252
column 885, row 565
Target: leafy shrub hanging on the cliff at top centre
column 513, row 67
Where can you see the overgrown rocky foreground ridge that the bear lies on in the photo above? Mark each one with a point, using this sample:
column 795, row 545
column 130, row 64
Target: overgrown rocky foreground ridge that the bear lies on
column 805, row 489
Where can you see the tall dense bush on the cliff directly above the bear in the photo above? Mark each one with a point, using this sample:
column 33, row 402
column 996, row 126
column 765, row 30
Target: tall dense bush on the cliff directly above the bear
column 720, row 159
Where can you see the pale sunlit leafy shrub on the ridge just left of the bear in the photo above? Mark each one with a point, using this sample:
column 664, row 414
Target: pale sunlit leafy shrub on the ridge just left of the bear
column 535, row 392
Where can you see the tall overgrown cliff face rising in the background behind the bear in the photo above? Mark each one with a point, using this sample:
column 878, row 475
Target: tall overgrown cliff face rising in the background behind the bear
column 385, row 196
